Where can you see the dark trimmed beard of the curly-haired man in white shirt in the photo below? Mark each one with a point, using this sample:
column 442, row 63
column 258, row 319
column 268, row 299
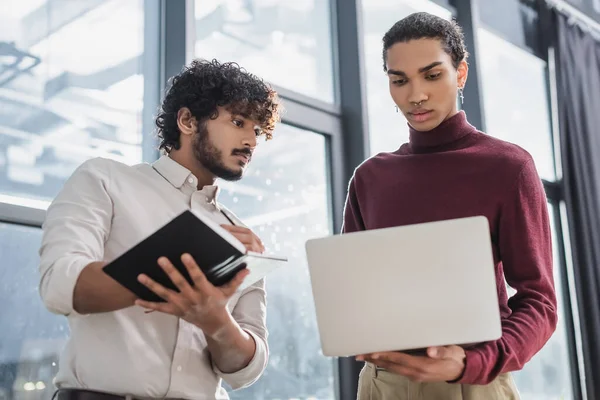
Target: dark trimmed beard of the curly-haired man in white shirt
column 211, row 157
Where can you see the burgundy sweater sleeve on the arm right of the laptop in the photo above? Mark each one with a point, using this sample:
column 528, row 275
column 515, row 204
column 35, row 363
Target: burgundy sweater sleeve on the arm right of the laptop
column 525, row 247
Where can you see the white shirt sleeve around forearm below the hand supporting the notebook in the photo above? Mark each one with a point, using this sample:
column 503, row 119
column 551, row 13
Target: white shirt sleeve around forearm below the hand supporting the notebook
column 250, row 313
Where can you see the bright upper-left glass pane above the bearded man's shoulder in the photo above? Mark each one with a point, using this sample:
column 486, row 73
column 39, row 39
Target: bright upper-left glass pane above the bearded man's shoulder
column 71, row 88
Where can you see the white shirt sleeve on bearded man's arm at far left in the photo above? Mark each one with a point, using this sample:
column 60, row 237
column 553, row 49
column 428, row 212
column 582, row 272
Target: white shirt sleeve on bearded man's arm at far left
column 76, row 227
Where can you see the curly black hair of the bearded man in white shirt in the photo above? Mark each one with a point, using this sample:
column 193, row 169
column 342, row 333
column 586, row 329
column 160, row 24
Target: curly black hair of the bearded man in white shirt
column 205, row 85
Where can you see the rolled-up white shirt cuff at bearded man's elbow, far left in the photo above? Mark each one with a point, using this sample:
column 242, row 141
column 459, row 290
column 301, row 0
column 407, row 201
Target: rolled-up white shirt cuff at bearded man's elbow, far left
column 58, row 286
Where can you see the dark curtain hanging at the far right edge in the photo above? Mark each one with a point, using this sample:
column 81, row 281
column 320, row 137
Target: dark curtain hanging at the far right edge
column 578, row 67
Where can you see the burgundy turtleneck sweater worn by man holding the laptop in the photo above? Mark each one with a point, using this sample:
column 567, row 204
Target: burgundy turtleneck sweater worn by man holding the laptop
column 454, row 171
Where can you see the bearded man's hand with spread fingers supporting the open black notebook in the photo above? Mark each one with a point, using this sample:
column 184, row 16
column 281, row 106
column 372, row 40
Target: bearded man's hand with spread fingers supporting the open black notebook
column 203, row 304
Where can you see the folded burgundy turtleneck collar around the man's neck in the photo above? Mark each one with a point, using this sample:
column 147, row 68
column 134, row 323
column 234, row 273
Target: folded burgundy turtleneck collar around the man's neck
column 449, row 131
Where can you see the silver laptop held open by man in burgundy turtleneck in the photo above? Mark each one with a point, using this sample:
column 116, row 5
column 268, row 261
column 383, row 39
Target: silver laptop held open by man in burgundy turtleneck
column 405, row 288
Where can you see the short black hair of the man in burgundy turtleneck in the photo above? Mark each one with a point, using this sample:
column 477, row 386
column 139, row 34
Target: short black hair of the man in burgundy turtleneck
column 423, row 25
